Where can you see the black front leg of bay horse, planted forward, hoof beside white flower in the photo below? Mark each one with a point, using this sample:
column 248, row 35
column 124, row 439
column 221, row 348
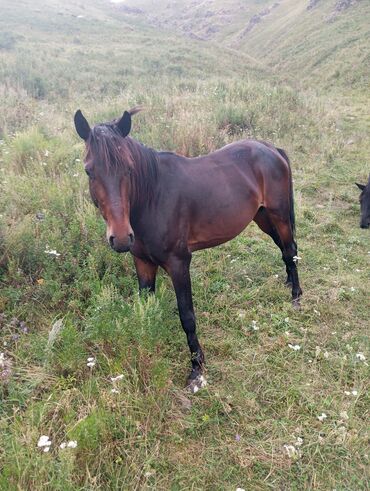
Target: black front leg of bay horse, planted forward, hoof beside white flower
column 178, row 269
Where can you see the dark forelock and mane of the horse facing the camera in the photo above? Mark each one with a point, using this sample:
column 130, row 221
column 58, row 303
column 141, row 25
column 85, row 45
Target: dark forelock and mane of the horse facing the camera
column 125, row 155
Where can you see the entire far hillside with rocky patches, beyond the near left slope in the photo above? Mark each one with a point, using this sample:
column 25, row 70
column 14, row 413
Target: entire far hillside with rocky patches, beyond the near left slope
column 327, row 45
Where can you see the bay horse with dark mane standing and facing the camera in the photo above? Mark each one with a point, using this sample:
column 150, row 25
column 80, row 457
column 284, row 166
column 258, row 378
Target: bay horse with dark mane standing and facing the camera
column 162, row 207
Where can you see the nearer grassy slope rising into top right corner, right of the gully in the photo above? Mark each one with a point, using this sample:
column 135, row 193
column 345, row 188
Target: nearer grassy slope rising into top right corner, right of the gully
column 321, row 46
